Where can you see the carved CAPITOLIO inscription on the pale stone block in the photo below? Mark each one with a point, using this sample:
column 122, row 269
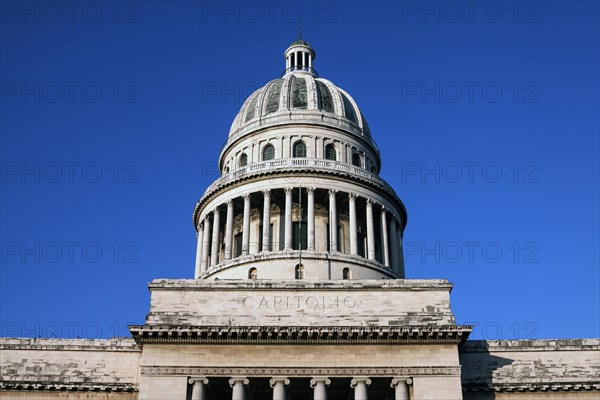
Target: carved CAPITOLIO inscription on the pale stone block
column 299, row 302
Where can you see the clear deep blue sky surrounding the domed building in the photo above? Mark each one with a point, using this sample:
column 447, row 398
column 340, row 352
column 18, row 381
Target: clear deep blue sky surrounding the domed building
column 112, row 115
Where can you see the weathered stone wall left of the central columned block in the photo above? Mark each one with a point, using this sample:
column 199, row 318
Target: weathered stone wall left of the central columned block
column 69, row 369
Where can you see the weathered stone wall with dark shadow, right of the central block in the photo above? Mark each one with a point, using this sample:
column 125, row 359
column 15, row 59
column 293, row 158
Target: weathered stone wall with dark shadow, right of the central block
column 531, row 369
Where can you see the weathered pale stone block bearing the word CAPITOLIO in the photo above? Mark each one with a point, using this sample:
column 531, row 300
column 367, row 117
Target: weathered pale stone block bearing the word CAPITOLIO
column 300, row 303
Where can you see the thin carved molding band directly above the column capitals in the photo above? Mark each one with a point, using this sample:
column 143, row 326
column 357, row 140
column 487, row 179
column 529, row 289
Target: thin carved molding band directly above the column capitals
column 157, row 370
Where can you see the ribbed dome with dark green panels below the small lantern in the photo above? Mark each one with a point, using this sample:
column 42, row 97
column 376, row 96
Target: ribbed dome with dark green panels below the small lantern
column 300, row 95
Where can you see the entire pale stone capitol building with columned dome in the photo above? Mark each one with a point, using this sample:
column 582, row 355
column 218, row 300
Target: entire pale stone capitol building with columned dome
column 299, row 288
